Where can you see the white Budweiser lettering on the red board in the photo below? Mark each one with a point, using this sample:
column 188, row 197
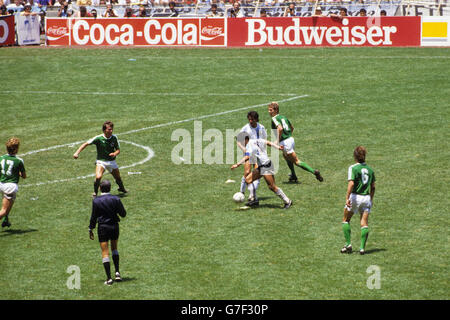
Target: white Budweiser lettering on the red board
column 260, row 34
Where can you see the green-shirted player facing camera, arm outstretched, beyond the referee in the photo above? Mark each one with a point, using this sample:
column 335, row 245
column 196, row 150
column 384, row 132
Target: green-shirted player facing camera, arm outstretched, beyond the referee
column 108, row 148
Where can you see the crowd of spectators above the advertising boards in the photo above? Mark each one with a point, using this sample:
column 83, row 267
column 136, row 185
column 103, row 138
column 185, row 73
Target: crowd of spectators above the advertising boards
column 172, row 8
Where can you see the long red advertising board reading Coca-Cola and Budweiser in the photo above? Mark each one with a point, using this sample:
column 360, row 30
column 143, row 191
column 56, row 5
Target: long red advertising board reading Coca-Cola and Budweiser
column 235, row 32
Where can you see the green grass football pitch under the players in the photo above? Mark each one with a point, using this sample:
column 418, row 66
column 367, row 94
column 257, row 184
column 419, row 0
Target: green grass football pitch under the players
column 184, row 237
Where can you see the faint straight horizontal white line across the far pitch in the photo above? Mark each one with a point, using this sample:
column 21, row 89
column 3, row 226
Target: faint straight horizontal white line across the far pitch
column 181, row 94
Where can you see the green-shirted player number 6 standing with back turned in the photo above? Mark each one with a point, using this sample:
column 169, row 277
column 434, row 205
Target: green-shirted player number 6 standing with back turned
column 359, row 198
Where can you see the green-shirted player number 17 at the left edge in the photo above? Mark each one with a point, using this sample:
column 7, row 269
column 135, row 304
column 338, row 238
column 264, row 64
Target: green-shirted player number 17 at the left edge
column 11, row 170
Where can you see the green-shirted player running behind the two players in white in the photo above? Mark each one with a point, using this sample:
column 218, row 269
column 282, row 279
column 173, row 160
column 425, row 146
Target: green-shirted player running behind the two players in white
column 284, row 129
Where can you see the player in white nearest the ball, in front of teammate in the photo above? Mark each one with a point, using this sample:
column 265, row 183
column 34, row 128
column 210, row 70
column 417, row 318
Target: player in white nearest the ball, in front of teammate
column 257, row 148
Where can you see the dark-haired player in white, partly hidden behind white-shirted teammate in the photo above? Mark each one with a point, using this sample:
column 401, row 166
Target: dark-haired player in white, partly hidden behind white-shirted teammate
column 254, row 130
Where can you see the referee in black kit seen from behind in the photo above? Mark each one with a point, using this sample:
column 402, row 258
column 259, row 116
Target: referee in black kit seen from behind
column 105, row 211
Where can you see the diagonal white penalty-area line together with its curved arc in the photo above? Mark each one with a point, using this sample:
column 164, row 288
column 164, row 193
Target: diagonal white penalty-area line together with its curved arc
column 150, row 152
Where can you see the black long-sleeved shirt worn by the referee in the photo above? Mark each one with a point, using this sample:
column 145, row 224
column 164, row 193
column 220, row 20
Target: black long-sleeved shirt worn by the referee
column 105, row 210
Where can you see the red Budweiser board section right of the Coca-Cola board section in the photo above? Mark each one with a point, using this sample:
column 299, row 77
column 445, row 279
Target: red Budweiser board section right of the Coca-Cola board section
column 325, row 31
